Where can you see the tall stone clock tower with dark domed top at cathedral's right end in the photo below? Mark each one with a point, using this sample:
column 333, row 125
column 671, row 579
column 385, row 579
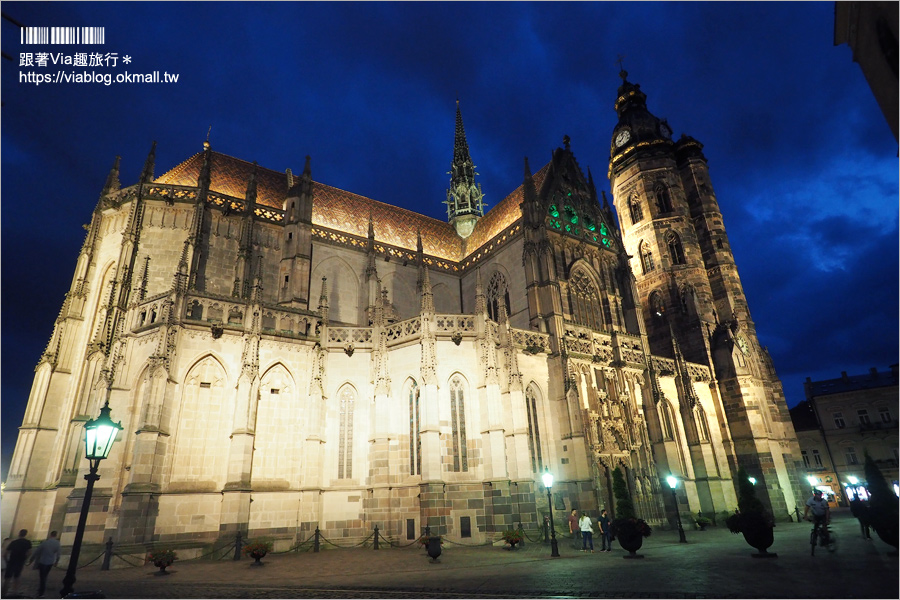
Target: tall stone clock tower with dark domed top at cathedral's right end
column 692, row 297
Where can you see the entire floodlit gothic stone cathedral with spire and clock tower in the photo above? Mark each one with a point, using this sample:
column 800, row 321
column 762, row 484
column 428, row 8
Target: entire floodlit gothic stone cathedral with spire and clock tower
column 285, row 355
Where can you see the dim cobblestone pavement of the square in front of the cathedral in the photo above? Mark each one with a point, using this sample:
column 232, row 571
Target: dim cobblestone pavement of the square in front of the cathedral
column 713, row 564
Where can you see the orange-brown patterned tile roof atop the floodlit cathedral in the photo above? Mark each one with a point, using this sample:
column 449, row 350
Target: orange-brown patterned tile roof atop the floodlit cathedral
column 349, row 213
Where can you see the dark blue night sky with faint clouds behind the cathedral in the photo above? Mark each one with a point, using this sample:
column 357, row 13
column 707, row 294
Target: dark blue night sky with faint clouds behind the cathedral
column 803, row 162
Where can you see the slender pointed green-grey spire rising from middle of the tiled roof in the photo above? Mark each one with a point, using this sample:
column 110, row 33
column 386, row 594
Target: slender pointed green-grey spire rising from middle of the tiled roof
column 464, row 198
